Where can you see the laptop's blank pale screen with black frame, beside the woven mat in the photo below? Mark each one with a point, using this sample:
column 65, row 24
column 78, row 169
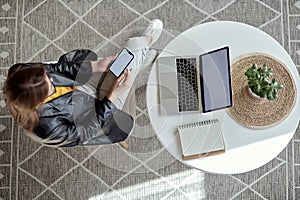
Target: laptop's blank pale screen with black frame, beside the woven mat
column 215, row 80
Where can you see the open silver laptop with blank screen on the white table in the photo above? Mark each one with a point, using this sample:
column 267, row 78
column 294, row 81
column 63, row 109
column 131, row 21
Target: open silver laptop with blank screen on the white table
column 199, row 83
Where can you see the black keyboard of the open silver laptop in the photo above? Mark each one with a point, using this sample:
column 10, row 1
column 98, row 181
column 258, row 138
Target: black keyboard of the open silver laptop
column 188, row 99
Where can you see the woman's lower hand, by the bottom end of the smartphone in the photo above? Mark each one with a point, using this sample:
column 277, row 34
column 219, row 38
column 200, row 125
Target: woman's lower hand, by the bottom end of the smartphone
column 121, row 85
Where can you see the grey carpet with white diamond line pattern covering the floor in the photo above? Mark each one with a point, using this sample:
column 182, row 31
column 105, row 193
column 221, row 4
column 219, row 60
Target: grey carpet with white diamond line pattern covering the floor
column 41, row 30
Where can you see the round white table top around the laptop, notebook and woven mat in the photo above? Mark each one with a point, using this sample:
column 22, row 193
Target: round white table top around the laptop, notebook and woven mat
column 246, row 149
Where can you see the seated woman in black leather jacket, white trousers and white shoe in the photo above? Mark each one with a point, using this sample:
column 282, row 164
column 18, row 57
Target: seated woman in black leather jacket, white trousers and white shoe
column 65, row 104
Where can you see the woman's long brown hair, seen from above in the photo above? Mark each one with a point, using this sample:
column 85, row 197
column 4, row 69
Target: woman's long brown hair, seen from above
column 24, row 90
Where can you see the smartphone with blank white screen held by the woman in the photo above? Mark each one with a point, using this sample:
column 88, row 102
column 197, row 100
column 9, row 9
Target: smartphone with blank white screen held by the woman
column 118, row 66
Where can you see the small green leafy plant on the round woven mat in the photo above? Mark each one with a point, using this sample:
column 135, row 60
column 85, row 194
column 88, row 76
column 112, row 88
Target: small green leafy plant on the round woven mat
column 260, row 84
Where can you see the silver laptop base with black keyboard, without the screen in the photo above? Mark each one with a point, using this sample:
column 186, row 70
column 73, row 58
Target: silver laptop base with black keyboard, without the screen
column 169, row 89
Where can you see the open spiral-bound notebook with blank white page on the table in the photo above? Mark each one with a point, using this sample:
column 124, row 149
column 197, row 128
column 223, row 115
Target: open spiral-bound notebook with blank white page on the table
column 202, row 138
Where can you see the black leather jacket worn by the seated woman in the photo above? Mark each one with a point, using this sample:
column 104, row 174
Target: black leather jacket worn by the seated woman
column 77, row 118
